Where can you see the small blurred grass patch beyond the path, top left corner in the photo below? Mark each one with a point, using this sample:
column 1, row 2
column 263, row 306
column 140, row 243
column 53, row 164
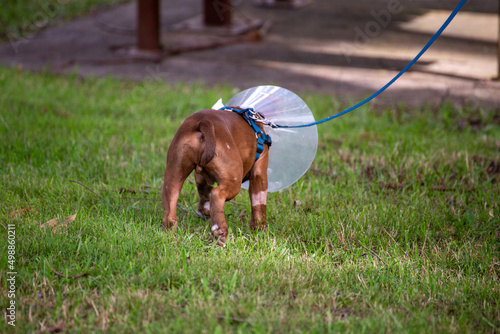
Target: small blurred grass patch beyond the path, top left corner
column 22, row 19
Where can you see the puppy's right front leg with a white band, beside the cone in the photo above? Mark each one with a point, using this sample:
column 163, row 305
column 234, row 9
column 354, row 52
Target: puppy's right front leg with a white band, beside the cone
column 258, row 192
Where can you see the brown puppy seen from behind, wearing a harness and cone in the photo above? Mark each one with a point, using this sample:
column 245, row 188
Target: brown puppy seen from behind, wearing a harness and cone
column 220, row 147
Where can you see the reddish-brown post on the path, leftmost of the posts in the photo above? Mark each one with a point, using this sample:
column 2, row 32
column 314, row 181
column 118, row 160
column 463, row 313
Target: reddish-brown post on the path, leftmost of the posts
column 148, row 25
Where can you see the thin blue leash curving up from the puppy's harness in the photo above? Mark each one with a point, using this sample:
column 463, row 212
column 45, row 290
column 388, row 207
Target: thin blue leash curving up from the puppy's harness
column 377, row 93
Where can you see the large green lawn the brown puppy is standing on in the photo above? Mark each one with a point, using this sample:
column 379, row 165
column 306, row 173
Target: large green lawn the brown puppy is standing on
column 397, row 229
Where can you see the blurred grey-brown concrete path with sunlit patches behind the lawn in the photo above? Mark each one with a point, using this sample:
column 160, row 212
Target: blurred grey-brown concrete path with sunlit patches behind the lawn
column 344, row 48
